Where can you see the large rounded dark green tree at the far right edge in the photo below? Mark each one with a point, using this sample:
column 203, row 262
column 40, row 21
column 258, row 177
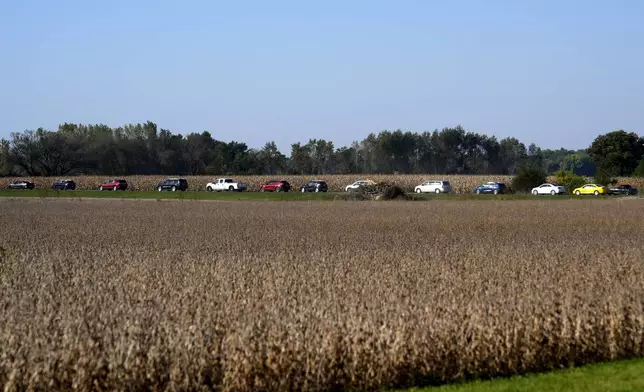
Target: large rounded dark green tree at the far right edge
column 617, row 153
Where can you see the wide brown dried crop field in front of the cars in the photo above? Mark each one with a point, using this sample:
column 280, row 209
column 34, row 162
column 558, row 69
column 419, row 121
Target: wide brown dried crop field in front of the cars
column 266, row 296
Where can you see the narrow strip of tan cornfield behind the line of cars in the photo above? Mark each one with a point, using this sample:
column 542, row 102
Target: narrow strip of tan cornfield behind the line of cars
column 337, row 182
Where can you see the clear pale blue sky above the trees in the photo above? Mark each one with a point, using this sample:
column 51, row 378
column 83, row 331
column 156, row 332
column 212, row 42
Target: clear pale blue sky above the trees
column 557, row 73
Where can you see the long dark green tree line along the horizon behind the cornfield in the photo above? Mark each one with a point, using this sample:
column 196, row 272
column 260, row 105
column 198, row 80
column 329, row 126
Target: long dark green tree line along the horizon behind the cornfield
column 75, row 149
